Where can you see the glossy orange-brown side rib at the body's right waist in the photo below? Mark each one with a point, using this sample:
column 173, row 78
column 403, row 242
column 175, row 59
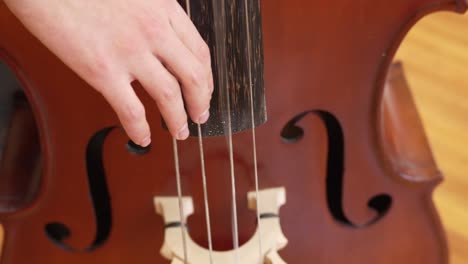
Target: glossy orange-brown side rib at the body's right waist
column 404, row 138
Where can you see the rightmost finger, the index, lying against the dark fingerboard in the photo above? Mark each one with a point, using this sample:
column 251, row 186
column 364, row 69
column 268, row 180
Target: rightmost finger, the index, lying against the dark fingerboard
column 189, row 35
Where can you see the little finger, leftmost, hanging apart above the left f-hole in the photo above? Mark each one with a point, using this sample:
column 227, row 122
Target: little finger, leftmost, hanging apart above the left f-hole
column 129, row 110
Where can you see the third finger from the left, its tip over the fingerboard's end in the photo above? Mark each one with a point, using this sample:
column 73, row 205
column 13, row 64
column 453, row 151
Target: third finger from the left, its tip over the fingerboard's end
column 190, row 72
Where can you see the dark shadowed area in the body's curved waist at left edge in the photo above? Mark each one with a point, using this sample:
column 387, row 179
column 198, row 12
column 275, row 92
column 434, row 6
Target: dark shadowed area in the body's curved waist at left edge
column 20, row 151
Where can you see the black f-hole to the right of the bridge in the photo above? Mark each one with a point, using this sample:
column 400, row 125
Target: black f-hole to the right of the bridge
column 292, row 133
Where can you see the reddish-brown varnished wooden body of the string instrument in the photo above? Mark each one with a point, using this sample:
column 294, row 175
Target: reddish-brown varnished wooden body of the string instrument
column 358, row 179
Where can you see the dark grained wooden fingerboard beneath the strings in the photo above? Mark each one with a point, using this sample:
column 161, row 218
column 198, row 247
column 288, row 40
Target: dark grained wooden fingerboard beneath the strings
column 233, row 40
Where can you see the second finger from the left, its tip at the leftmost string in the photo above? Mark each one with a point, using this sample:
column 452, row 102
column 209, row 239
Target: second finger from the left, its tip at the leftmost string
column 164, row 88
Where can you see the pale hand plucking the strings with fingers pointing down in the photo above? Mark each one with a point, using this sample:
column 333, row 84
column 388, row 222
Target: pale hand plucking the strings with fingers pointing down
column 111, row 43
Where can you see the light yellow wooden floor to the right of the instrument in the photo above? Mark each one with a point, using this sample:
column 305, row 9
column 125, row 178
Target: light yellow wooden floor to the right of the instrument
column 435, row 56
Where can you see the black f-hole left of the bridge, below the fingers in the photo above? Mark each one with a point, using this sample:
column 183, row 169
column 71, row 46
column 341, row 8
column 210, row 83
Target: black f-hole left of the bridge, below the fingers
column 59, row 232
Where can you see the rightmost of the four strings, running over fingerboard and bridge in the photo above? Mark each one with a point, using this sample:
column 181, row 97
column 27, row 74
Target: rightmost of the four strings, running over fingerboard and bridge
column 254, row 141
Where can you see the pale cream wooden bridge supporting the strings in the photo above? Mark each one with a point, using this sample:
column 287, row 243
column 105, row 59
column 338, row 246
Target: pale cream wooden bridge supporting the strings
column 271, row 233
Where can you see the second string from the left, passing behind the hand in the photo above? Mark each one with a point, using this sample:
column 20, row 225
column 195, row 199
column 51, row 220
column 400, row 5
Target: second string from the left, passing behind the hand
column 202, row 161
